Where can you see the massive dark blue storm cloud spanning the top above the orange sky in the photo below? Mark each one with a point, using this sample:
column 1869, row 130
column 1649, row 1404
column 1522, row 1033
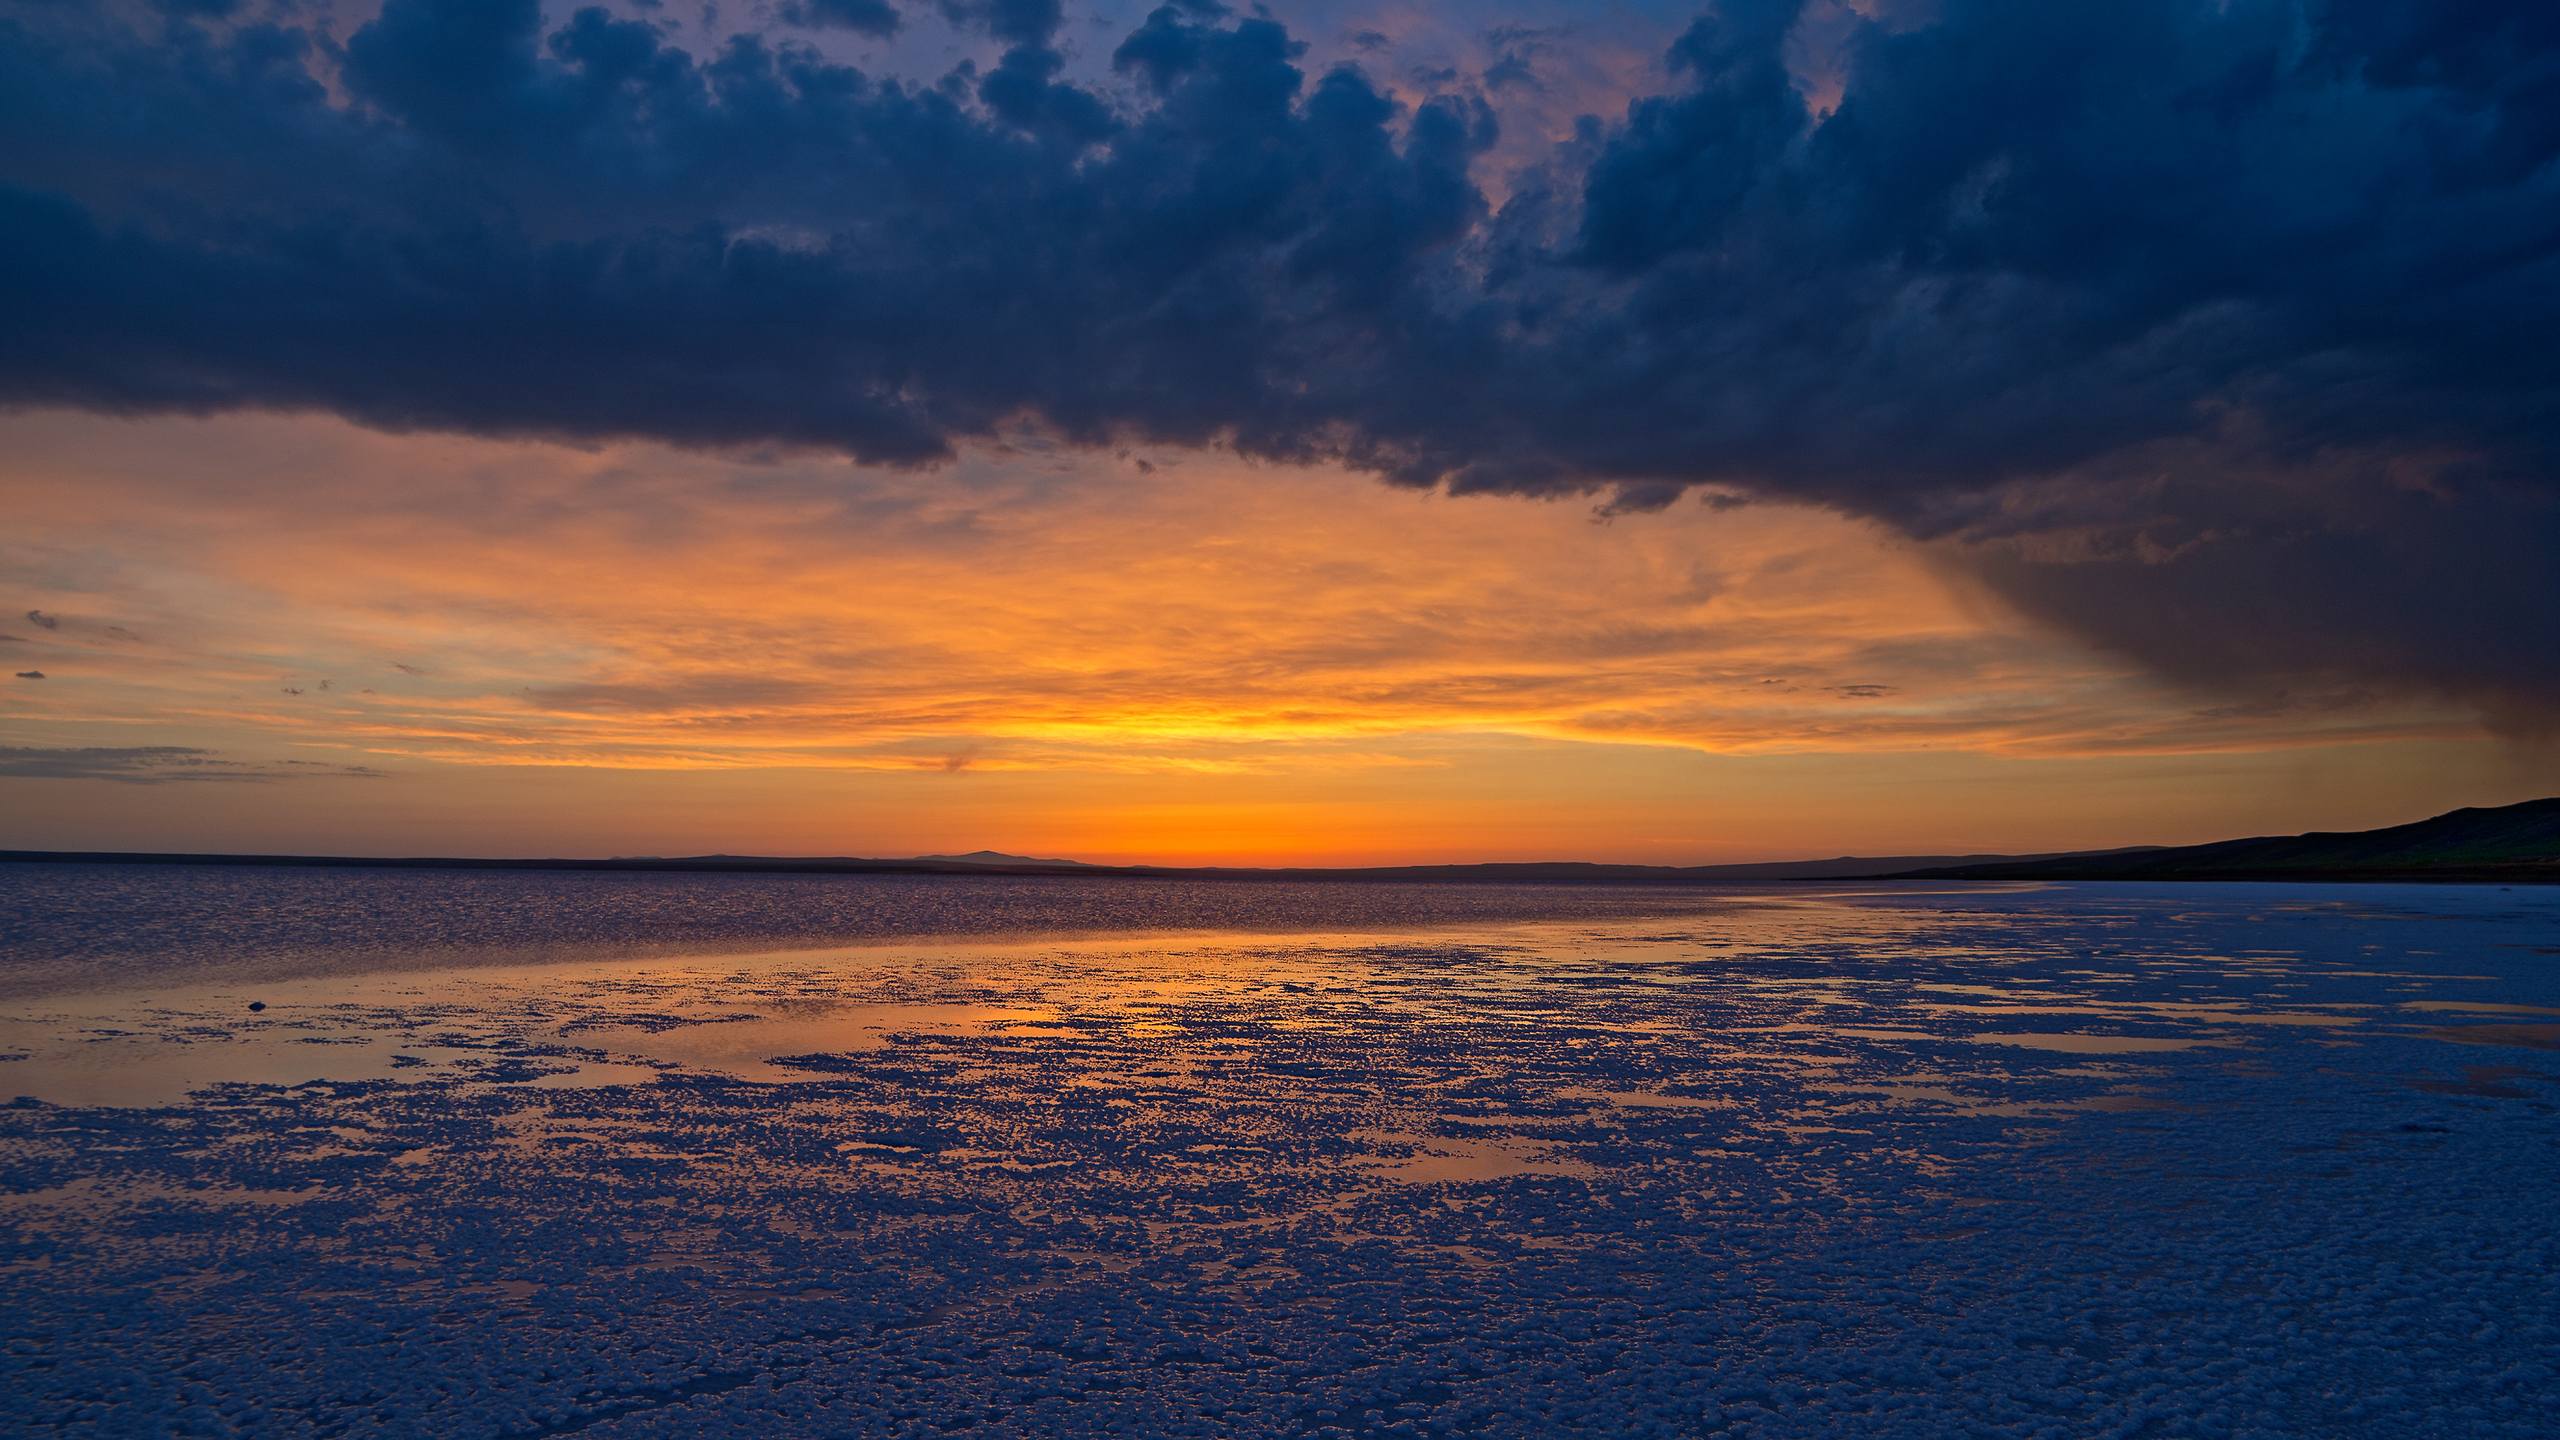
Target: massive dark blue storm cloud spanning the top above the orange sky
column 2213, row 329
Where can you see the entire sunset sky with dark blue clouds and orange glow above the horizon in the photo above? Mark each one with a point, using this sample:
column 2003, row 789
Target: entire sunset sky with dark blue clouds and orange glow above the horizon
column 1312, row 434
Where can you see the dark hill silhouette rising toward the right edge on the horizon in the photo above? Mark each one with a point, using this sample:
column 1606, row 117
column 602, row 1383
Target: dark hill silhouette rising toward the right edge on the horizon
column 2497, row 844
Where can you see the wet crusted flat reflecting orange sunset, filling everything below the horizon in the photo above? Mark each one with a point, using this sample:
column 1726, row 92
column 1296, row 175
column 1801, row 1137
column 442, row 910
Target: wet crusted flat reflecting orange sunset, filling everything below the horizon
column 1788, row 1162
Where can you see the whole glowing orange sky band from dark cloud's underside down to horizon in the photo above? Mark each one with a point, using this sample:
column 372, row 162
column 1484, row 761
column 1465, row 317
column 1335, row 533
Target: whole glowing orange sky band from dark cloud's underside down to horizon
column 1184, row 660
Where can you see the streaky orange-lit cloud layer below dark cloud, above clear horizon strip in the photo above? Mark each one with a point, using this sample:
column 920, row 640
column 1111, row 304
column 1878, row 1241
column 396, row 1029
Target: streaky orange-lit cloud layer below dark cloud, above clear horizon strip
column 641, row 609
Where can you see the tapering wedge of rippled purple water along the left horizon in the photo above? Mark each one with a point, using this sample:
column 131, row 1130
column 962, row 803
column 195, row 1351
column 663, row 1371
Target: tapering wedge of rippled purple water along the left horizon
column 106, row 926
